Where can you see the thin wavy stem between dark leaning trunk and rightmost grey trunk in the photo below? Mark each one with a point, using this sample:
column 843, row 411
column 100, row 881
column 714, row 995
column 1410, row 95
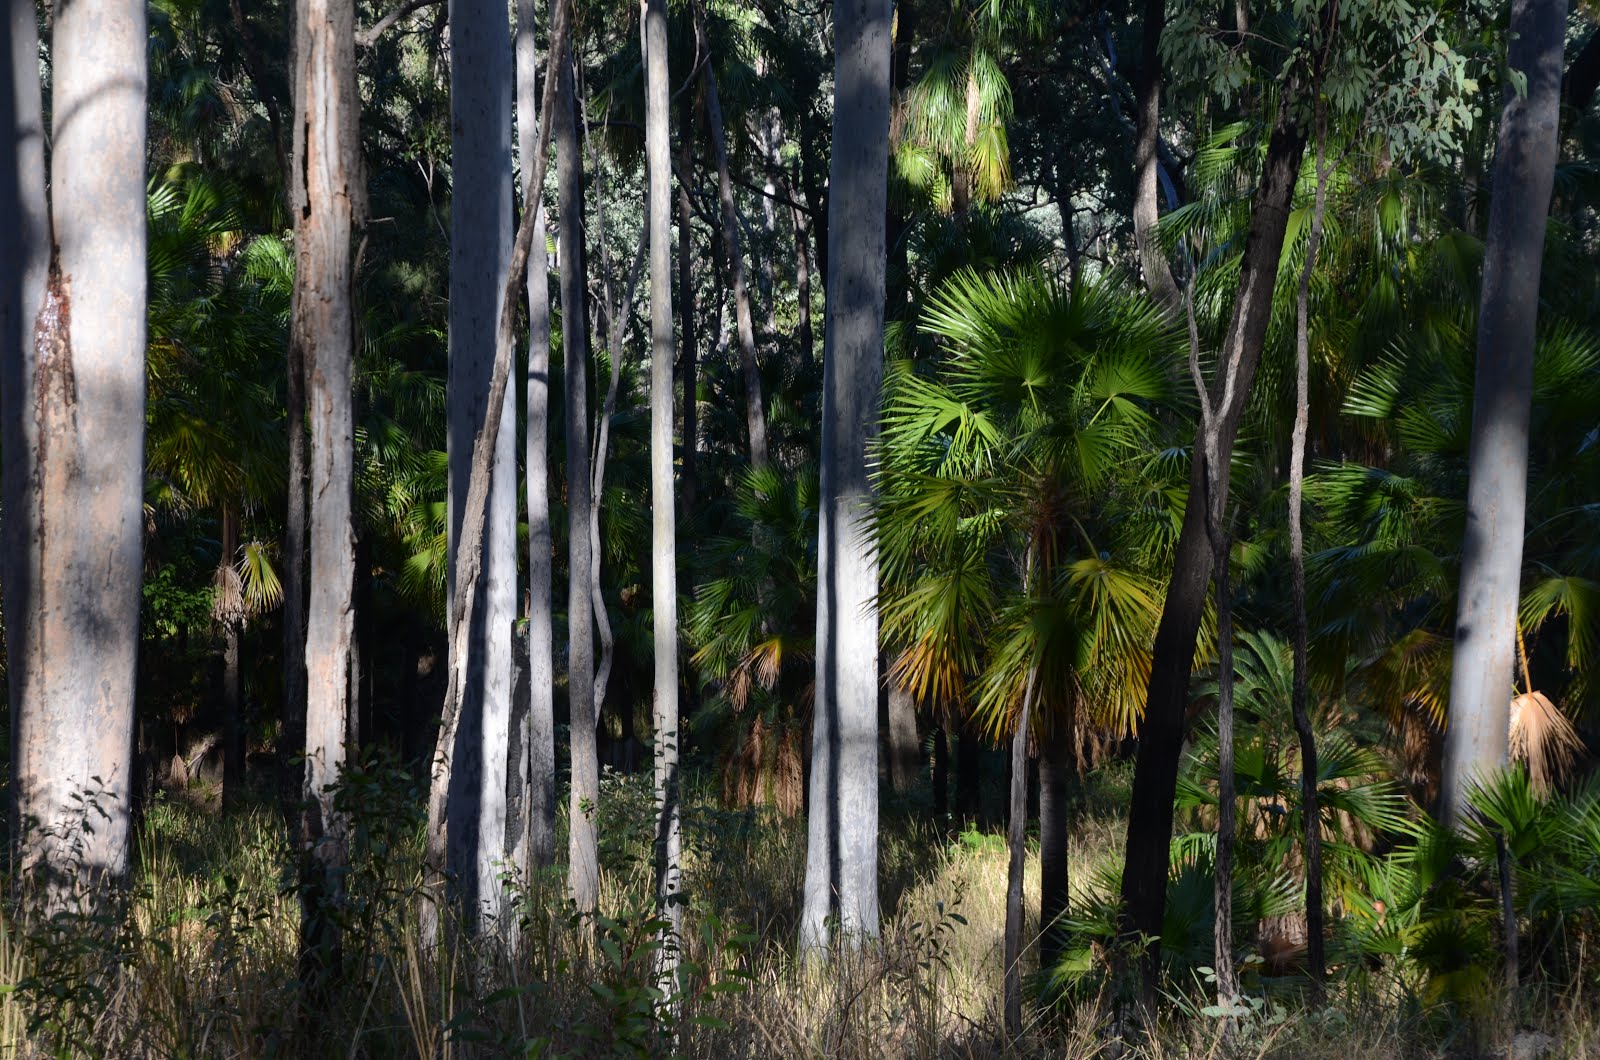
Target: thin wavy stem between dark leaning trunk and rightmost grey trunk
column 1311, row 813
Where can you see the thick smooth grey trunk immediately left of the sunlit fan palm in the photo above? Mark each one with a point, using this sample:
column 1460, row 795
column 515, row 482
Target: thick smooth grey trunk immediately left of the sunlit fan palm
column 842, row 841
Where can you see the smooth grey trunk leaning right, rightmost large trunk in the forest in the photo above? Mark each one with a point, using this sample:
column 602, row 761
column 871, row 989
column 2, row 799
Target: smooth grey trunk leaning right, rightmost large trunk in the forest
column 1481, row 680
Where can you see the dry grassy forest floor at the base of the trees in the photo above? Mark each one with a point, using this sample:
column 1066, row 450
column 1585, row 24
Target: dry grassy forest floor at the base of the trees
column 206, row 963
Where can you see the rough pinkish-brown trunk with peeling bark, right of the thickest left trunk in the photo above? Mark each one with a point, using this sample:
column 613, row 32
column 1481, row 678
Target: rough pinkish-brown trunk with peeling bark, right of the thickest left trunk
column 329, row 201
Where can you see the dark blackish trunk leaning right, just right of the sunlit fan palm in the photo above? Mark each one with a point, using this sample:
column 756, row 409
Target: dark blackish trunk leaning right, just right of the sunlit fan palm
column 1162, row 731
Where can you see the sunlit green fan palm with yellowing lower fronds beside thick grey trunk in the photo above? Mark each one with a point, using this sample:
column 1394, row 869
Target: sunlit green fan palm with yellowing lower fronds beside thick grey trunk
column 1007, row 585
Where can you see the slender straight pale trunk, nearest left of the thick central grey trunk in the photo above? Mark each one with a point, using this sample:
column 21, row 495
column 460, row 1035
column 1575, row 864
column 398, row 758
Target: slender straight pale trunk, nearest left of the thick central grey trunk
column 663, row 552
